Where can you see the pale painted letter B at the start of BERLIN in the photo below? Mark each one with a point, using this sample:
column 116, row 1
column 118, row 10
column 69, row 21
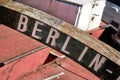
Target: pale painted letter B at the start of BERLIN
column 22, row 25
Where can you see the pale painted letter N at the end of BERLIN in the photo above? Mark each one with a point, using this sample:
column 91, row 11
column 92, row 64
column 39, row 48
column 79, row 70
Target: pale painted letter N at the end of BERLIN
column 97, row 62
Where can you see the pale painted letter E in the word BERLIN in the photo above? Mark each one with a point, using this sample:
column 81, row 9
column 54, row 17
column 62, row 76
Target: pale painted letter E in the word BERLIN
column 36, row 29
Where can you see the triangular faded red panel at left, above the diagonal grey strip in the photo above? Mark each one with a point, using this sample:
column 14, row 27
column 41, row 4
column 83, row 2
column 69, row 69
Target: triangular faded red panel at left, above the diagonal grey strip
column 12, row 43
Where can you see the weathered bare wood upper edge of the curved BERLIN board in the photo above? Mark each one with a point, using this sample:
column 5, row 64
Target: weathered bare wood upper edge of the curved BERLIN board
column 68, row 29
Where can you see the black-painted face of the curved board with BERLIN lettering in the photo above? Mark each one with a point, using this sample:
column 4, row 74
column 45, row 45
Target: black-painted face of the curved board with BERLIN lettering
column 79, row 52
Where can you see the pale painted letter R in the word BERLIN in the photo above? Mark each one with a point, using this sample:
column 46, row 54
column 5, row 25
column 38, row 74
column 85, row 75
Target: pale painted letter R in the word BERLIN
column 53, row 34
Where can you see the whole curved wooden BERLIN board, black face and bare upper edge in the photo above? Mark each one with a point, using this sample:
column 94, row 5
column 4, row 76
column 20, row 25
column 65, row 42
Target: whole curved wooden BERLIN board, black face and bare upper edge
column 91, row 53
